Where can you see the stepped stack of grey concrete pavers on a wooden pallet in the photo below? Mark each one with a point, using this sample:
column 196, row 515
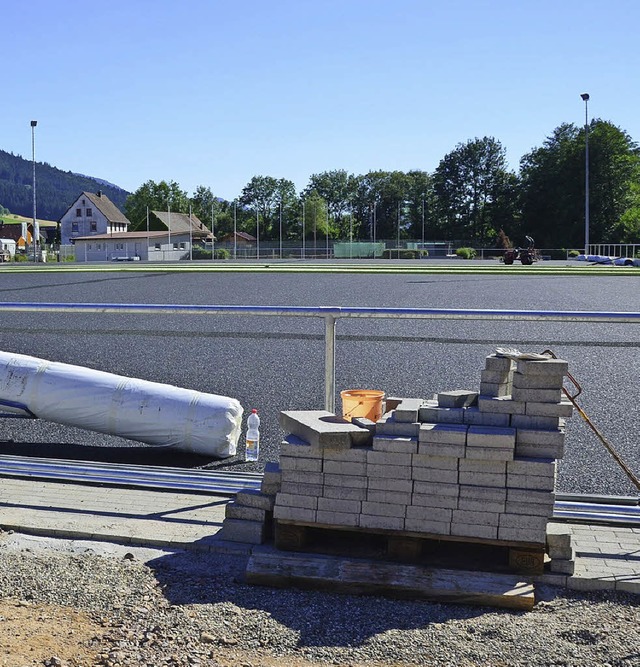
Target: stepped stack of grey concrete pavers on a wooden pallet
column 478, row 465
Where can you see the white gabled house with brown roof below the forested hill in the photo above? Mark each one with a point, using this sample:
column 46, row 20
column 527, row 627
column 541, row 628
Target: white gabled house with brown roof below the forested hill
column 91, row 215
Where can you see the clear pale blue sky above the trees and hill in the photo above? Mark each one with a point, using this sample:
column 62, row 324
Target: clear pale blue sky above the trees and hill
column 212, row 93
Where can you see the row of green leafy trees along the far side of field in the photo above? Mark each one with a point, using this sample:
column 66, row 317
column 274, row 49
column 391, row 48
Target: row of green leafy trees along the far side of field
column 471, row 198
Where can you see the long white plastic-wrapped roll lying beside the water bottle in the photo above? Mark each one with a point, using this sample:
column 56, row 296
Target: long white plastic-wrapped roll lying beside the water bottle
column 150, row 412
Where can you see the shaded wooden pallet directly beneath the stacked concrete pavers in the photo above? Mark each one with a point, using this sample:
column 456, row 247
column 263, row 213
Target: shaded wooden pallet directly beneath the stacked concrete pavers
column 405, row 547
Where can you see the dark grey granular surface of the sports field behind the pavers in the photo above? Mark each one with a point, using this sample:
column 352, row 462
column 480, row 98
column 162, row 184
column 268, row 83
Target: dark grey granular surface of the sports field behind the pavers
column 276, row 364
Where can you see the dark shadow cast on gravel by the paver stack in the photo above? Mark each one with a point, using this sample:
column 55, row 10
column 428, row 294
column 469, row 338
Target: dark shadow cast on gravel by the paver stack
column 318, row 618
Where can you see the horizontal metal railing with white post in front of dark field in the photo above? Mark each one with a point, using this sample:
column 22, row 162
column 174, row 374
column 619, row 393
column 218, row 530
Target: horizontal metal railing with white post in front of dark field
column 330, row 314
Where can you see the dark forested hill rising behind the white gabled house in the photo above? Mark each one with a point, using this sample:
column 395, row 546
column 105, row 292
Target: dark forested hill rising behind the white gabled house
column 56, row 190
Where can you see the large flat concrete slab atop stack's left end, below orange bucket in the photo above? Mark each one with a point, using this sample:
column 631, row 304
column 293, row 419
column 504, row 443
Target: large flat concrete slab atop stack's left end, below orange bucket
column 323, row 429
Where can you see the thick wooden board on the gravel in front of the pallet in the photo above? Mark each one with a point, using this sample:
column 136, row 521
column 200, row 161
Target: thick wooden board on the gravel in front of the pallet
column 269, row 567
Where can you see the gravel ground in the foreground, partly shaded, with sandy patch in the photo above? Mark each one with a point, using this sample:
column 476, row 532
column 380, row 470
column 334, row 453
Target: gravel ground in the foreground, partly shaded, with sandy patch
column 142, row 608
